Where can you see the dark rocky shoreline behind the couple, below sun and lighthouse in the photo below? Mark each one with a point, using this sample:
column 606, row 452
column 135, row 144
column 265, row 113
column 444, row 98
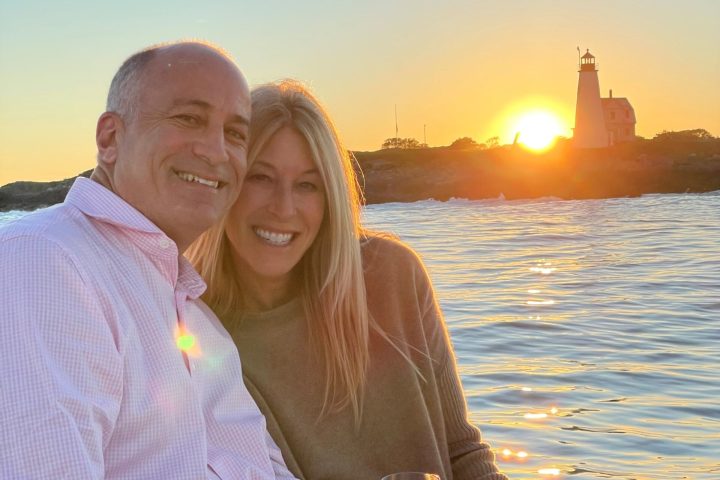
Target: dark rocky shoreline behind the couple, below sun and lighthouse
column 510, row 172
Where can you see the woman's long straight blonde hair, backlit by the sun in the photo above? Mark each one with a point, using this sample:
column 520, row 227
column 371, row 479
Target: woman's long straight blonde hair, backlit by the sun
column 333, row 287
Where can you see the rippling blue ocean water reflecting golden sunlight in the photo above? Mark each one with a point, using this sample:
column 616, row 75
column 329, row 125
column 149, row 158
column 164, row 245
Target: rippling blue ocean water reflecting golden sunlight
column 587, row 332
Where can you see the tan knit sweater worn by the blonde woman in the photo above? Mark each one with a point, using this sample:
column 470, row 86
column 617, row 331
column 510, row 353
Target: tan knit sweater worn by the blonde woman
column 408, row 424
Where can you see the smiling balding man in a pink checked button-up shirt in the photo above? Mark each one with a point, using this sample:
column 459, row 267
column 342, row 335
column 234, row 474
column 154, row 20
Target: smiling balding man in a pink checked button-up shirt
column 111, row 366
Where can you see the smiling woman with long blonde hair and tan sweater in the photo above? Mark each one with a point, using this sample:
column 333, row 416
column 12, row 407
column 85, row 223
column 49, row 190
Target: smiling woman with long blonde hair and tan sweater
column 342, row 342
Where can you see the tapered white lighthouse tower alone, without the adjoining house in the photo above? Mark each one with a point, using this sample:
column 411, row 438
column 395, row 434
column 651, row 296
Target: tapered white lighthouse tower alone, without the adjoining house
column 590, row 131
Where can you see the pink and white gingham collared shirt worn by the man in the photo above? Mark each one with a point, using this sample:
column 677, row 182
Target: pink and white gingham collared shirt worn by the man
column 93, row 384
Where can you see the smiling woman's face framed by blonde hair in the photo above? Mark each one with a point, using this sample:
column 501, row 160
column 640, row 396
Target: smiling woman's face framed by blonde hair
column 279, row 211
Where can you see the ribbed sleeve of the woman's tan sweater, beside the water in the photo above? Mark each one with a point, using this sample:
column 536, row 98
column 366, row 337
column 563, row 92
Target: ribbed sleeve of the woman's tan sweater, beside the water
column 470, row 457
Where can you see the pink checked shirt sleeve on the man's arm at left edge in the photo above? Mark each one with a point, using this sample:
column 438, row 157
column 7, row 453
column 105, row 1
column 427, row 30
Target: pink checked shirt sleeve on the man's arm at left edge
column 61, row 368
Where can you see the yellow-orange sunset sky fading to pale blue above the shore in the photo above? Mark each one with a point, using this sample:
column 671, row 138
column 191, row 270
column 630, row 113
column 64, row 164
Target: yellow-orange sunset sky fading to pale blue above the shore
column 453, row 68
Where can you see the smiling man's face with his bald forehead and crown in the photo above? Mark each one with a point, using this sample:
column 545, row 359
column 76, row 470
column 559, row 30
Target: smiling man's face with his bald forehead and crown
column 181, row 157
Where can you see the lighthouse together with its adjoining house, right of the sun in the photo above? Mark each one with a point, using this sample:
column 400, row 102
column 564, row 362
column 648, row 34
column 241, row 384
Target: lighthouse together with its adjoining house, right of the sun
column 599, row 122
